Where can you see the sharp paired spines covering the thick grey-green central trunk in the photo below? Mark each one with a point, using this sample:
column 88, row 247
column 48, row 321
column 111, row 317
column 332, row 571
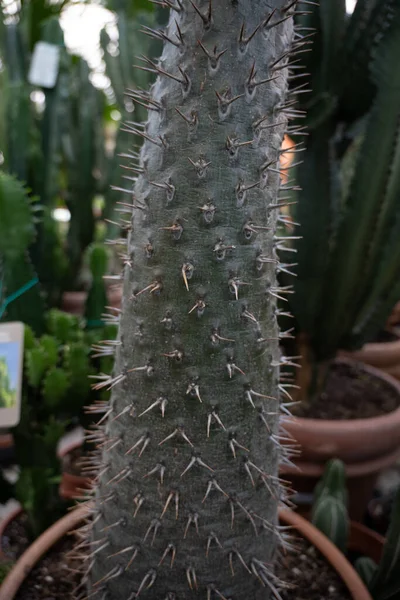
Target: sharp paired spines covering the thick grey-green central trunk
column 107, row 347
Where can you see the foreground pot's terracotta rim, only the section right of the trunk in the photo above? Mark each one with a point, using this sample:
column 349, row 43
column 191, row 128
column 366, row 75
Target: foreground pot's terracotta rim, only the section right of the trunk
column 336, row 559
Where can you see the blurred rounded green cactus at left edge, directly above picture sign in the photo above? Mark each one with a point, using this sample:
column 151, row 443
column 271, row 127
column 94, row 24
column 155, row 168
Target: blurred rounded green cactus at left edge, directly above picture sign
column 20, row 297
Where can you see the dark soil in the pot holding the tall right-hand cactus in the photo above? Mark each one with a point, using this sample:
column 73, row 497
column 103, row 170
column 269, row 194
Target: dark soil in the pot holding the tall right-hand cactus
column 350, row 393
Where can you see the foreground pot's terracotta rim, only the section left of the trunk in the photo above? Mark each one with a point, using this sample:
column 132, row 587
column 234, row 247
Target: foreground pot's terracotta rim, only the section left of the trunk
column 34, row 553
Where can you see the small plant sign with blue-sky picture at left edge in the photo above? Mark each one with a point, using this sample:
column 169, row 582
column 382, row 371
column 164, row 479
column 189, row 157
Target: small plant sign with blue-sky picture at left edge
column 11, row 365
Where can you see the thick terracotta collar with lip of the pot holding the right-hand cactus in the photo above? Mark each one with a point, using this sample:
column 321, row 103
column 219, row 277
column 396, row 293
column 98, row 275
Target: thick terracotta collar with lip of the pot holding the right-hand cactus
column 352, row 441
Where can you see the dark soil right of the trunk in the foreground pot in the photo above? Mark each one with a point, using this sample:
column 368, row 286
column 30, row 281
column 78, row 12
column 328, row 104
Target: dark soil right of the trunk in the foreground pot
column 309, row 575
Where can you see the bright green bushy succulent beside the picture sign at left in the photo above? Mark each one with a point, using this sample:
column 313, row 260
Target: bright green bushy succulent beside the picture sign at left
column 56, row 389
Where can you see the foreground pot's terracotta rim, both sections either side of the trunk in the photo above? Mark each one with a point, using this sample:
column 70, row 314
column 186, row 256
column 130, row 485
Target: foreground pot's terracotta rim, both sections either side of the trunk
column 34, row 553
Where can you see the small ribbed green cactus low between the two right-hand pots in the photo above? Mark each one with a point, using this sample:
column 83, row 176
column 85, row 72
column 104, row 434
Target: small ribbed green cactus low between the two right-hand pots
column 329, row 513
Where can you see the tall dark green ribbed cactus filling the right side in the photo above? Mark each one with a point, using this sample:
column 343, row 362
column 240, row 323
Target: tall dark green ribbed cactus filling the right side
column 348, row 256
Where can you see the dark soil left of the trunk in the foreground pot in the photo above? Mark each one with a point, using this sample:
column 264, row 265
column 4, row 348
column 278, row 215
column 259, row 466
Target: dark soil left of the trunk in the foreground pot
column 53, row 578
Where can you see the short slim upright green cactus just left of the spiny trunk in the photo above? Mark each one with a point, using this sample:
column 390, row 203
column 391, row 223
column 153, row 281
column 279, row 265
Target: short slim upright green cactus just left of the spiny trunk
column 97, row 295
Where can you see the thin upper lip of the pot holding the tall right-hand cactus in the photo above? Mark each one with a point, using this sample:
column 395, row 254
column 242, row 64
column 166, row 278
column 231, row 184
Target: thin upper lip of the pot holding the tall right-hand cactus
column 349, row 425
